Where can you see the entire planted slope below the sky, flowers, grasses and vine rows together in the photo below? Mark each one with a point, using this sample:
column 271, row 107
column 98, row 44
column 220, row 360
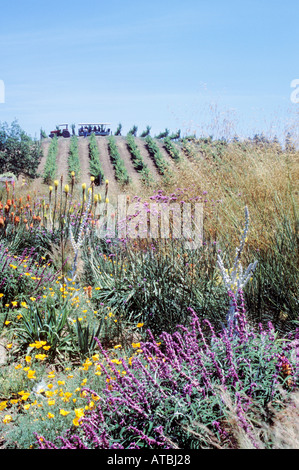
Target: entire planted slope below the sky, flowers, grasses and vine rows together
column 138, row 341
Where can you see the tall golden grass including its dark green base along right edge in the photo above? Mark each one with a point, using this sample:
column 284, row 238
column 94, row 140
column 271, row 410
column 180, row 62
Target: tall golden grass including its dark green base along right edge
column 263, row 177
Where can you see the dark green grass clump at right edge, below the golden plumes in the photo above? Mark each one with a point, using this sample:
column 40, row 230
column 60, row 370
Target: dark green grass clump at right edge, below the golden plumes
column 273, row 292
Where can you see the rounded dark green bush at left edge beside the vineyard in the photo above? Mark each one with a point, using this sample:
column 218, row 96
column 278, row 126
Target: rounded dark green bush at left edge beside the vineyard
column 19, row 154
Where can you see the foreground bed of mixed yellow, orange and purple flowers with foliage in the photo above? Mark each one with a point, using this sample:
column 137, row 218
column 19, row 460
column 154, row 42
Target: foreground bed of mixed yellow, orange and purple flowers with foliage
column 91, row 365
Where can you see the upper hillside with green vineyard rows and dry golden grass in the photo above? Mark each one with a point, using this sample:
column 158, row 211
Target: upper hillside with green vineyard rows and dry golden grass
column 223, row 175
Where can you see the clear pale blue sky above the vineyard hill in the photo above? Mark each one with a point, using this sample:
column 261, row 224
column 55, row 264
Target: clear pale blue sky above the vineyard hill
column 209, row 67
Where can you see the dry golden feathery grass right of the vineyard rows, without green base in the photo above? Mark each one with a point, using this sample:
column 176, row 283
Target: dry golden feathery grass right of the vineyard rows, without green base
column 263, row 178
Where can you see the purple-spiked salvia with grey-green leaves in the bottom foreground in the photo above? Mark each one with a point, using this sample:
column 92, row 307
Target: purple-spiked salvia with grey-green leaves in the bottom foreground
column 186, row 370
